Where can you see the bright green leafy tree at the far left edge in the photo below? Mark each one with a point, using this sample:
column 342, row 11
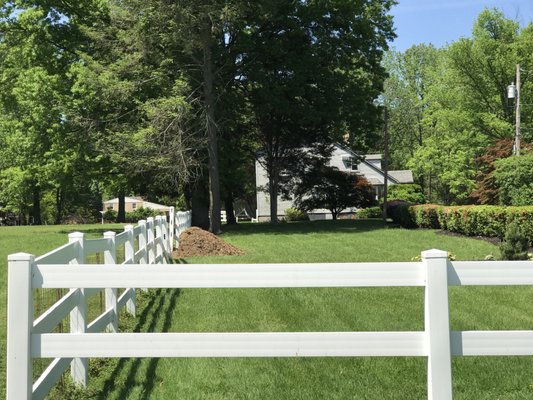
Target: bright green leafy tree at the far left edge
column 38, row 44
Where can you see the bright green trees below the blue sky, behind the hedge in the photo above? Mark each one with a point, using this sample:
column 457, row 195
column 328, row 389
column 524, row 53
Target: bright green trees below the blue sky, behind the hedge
column 451, row 121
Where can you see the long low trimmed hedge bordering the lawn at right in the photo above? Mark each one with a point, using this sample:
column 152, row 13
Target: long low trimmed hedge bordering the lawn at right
column 489, row 221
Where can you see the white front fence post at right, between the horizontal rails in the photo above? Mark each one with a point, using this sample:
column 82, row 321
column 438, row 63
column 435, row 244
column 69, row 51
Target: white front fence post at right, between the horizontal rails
column 437, row 323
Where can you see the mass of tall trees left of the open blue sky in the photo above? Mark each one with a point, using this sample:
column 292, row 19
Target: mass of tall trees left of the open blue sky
column 173, row 99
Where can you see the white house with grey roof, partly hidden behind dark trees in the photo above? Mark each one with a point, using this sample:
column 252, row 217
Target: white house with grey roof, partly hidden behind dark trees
column 345, row 160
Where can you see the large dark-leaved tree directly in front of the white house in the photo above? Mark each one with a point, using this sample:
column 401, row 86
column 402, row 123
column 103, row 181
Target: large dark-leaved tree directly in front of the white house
column 311, row 71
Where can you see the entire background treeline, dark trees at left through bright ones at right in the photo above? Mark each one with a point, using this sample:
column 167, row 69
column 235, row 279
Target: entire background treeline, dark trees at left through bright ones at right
column 176, row 100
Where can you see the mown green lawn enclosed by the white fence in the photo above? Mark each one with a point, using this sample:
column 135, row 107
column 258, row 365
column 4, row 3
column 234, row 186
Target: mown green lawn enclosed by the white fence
column 345, row 309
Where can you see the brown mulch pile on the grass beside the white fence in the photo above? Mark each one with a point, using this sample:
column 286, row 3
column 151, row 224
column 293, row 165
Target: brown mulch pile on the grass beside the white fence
column 197, row 242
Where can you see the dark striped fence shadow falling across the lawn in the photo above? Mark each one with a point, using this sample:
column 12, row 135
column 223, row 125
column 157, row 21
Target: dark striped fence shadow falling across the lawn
column 159, row 309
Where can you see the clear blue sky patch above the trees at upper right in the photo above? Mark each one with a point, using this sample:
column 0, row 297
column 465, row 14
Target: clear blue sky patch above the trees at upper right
column 444, row 21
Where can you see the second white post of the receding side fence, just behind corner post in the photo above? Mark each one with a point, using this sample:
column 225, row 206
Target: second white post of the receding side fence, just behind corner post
column 78, row 316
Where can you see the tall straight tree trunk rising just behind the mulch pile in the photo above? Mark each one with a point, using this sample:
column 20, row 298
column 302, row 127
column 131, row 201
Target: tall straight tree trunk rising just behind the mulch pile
column 212, row 140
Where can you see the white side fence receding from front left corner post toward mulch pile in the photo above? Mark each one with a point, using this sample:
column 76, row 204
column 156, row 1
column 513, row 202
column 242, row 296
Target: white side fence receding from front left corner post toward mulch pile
column 148, row 243
